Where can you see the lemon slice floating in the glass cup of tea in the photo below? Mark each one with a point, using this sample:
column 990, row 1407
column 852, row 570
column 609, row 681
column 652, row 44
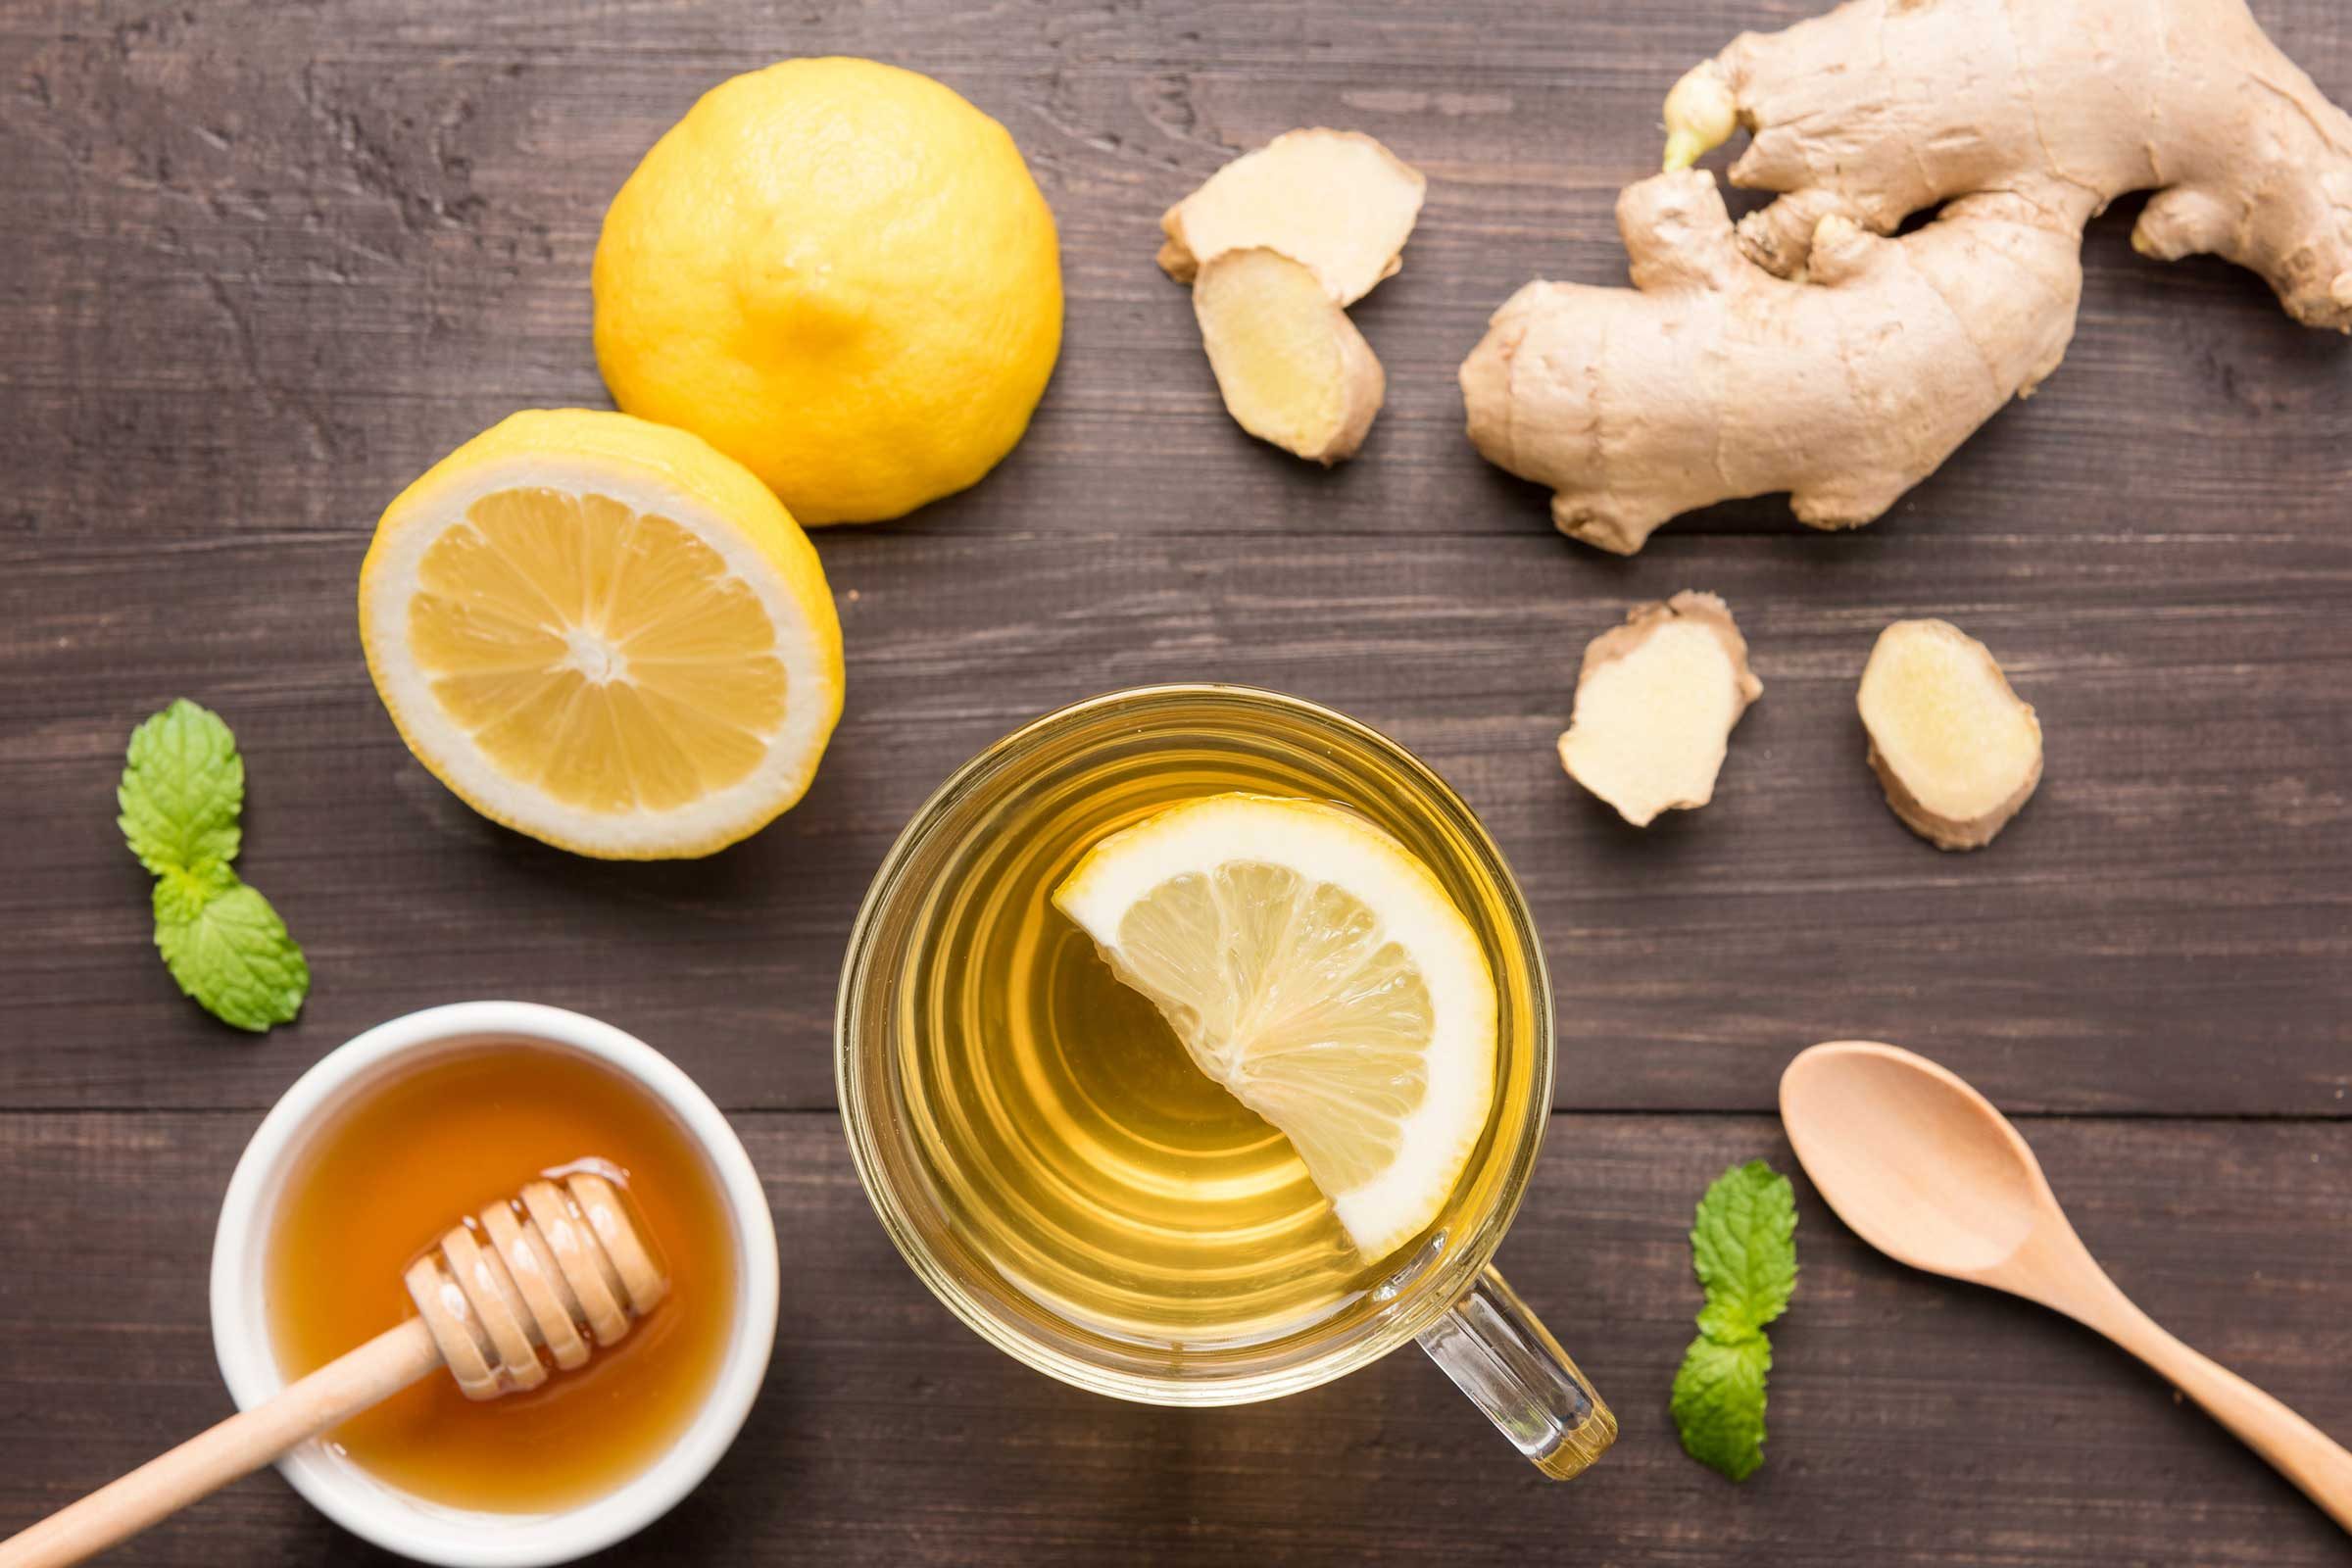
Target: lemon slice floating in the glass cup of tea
column 1316, row 970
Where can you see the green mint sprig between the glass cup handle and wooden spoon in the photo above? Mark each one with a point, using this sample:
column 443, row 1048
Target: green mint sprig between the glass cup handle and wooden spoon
column 1744, row 1247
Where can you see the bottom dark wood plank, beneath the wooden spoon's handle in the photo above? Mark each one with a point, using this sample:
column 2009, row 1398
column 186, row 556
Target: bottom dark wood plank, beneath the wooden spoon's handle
column 1911, row 1421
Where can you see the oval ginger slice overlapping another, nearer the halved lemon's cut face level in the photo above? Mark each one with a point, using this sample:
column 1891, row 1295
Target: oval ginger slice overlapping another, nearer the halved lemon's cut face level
column 1290, row 363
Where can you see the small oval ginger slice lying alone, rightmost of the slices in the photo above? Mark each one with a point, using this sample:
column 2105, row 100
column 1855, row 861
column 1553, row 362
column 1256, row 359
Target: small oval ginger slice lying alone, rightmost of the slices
column 1953, row 746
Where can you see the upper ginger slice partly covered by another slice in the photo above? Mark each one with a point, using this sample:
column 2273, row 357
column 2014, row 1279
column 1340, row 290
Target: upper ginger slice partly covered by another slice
column 1339, row 203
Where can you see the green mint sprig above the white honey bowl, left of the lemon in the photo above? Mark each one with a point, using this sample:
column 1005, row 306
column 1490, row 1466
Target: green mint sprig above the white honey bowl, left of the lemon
column 182, row 791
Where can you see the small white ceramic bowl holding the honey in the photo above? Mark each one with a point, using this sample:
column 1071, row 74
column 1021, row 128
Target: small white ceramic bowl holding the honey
column 394, row 1520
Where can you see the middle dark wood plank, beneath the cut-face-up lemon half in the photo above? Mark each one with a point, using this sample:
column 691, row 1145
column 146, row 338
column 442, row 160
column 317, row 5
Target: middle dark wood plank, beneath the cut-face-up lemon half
column 2167, row 927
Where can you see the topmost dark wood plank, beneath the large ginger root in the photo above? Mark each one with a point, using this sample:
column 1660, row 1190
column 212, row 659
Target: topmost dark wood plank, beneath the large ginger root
column 265, row 272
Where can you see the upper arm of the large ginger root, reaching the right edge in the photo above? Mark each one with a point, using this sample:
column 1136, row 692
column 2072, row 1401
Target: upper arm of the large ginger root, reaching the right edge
column 2184, row 98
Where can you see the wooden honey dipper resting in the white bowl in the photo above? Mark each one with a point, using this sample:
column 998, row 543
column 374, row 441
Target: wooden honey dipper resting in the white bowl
column 556, row 1268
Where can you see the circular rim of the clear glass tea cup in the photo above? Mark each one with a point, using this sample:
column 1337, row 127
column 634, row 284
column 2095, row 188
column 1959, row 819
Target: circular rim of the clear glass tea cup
column 1459, row 1268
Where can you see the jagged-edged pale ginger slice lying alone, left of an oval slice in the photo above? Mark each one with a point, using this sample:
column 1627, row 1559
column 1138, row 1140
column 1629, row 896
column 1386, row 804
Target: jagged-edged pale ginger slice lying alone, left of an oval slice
column 1657, row 704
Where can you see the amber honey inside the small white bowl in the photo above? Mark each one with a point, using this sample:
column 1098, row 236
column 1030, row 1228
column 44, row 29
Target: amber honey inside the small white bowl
column 380, row 1184
